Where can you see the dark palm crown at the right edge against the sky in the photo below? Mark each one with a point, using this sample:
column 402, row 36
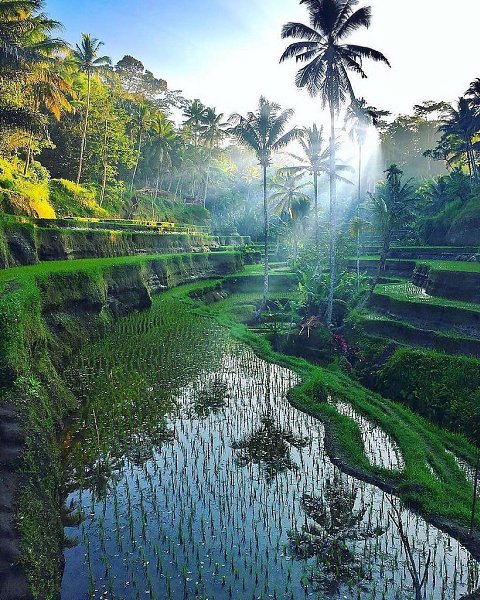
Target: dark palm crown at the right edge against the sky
column 459, row 129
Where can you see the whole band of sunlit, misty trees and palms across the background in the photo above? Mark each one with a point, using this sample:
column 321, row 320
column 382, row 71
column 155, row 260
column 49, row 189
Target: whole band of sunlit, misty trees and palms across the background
column 118, row 130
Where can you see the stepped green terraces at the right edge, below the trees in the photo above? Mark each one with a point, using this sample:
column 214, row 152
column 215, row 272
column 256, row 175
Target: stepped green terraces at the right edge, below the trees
column 430, row 299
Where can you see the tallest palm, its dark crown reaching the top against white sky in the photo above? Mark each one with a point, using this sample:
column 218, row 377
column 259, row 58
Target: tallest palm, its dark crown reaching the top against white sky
column 329, row 61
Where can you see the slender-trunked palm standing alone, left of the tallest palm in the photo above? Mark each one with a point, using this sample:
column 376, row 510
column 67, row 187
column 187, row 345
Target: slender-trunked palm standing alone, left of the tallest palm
column 264, row 132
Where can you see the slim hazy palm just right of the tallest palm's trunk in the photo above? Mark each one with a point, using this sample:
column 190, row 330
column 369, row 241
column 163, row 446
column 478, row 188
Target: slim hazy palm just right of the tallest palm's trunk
column 360, row 116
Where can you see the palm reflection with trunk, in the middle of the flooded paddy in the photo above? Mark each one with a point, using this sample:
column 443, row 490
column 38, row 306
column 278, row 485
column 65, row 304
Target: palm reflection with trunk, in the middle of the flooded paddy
column 270, row 445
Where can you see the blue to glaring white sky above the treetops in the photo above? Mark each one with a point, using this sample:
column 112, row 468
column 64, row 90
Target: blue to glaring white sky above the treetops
column 226, row 52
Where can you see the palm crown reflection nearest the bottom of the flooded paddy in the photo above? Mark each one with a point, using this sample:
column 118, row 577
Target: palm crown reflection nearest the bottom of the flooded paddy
column 331, row 525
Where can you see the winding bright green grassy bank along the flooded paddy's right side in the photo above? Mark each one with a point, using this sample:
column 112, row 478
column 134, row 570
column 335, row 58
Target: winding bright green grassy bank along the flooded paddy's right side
column 444, row 499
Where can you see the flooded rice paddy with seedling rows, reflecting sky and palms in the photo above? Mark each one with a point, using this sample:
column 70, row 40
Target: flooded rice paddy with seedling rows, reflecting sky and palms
column 191, row 476
